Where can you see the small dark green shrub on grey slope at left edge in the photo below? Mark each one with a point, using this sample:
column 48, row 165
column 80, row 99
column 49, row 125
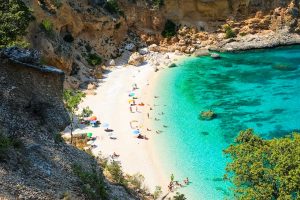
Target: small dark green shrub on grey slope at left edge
column 6, row 144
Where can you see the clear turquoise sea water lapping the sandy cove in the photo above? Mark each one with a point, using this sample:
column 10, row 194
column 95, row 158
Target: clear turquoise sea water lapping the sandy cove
column 255, row 89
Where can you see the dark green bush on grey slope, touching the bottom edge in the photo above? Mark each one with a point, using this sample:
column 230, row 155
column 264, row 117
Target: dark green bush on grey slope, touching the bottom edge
column 92, row 183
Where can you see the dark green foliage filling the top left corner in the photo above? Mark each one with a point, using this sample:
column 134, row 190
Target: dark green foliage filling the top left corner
column 15, row 17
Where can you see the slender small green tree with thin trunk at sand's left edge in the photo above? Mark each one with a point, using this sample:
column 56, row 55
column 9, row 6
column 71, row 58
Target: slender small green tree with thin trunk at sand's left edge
column 72, row 99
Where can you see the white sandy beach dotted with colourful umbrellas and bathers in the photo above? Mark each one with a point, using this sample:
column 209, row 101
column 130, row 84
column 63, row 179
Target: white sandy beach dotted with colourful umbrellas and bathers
column 111, row 106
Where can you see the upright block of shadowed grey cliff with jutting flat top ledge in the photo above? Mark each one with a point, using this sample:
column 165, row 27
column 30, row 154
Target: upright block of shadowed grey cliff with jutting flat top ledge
column 31, row 94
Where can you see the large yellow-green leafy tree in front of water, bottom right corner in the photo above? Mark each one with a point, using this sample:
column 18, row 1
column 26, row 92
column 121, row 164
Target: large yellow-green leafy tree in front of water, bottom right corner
column 264, row 169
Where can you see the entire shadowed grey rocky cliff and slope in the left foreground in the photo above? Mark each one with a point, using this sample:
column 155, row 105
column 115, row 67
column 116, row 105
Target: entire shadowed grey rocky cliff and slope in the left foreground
column 33, row 164
